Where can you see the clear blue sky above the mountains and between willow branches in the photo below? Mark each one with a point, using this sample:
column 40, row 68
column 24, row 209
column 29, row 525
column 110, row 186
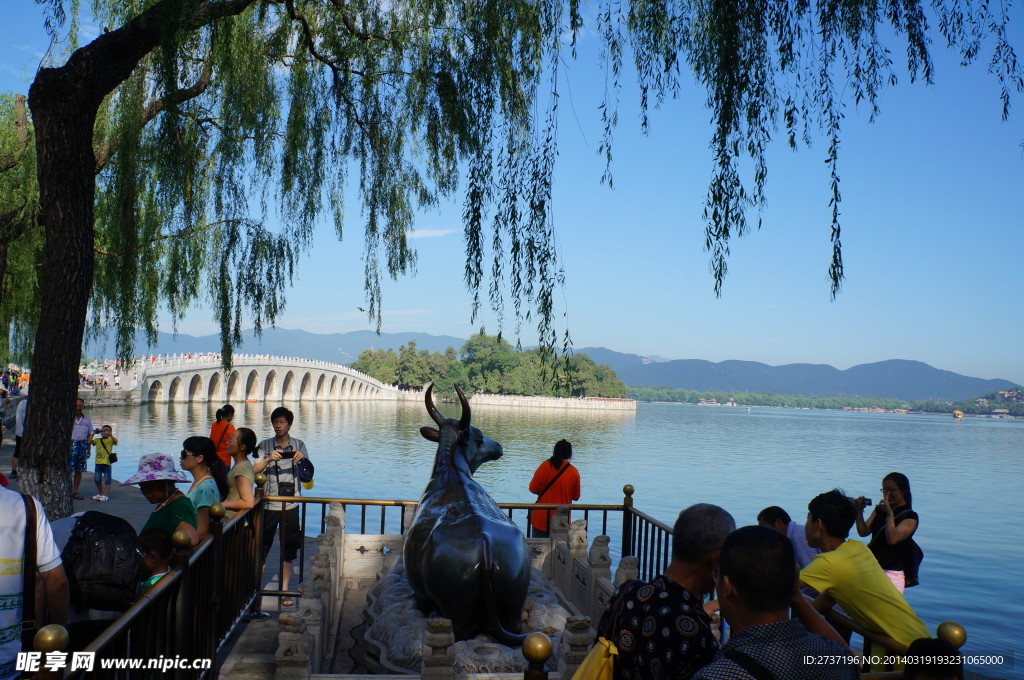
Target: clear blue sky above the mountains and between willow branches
column 932, row 237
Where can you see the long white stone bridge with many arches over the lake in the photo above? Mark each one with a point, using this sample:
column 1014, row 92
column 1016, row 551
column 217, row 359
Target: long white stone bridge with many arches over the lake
column 252, row 378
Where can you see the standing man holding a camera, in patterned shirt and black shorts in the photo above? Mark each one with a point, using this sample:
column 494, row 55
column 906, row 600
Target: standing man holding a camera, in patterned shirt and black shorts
column 277, row 458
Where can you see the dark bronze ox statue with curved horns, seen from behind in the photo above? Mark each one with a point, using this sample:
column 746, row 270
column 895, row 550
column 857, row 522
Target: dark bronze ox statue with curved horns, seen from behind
column 464, row 558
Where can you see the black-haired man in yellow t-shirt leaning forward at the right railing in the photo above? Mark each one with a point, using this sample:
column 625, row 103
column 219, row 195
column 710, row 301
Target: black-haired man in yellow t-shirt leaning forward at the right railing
column 847, row 574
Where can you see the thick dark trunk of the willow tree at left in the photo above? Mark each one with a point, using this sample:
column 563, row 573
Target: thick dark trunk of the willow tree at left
column 64, row 115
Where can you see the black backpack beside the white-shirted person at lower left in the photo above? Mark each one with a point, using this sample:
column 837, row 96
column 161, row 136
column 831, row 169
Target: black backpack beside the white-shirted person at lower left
column 104, row 563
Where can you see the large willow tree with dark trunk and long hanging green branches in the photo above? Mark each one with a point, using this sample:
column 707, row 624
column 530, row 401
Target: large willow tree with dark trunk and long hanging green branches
column 149, row 162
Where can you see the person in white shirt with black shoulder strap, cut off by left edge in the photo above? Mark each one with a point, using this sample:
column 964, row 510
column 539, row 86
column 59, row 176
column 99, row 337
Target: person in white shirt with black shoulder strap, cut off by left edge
column 55, row 581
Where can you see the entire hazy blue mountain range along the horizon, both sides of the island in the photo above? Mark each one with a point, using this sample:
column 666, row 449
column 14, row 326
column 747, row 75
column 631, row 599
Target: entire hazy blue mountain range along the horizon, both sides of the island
column 900, row 379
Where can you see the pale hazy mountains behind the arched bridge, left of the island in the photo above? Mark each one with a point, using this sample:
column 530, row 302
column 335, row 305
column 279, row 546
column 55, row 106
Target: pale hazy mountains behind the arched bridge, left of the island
column 335, row 348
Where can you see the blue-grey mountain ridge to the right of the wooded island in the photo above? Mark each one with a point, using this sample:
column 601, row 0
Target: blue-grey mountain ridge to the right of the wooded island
column 900, row 379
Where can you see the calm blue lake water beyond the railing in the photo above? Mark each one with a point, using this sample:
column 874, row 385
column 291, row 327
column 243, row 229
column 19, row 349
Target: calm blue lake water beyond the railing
column 966, row 477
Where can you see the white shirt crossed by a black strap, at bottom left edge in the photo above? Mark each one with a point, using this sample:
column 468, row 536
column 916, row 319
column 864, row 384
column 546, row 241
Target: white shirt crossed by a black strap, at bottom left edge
column 12, row 581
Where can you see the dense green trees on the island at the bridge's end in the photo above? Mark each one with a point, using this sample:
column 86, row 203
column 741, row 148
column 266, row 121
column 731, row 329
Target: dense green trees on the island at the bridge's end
column 490, row 364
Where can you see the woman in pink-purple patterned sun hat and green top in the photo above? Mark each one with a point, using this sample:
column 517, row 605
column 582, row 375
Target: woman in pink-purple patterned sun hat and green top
column 175, row 513
